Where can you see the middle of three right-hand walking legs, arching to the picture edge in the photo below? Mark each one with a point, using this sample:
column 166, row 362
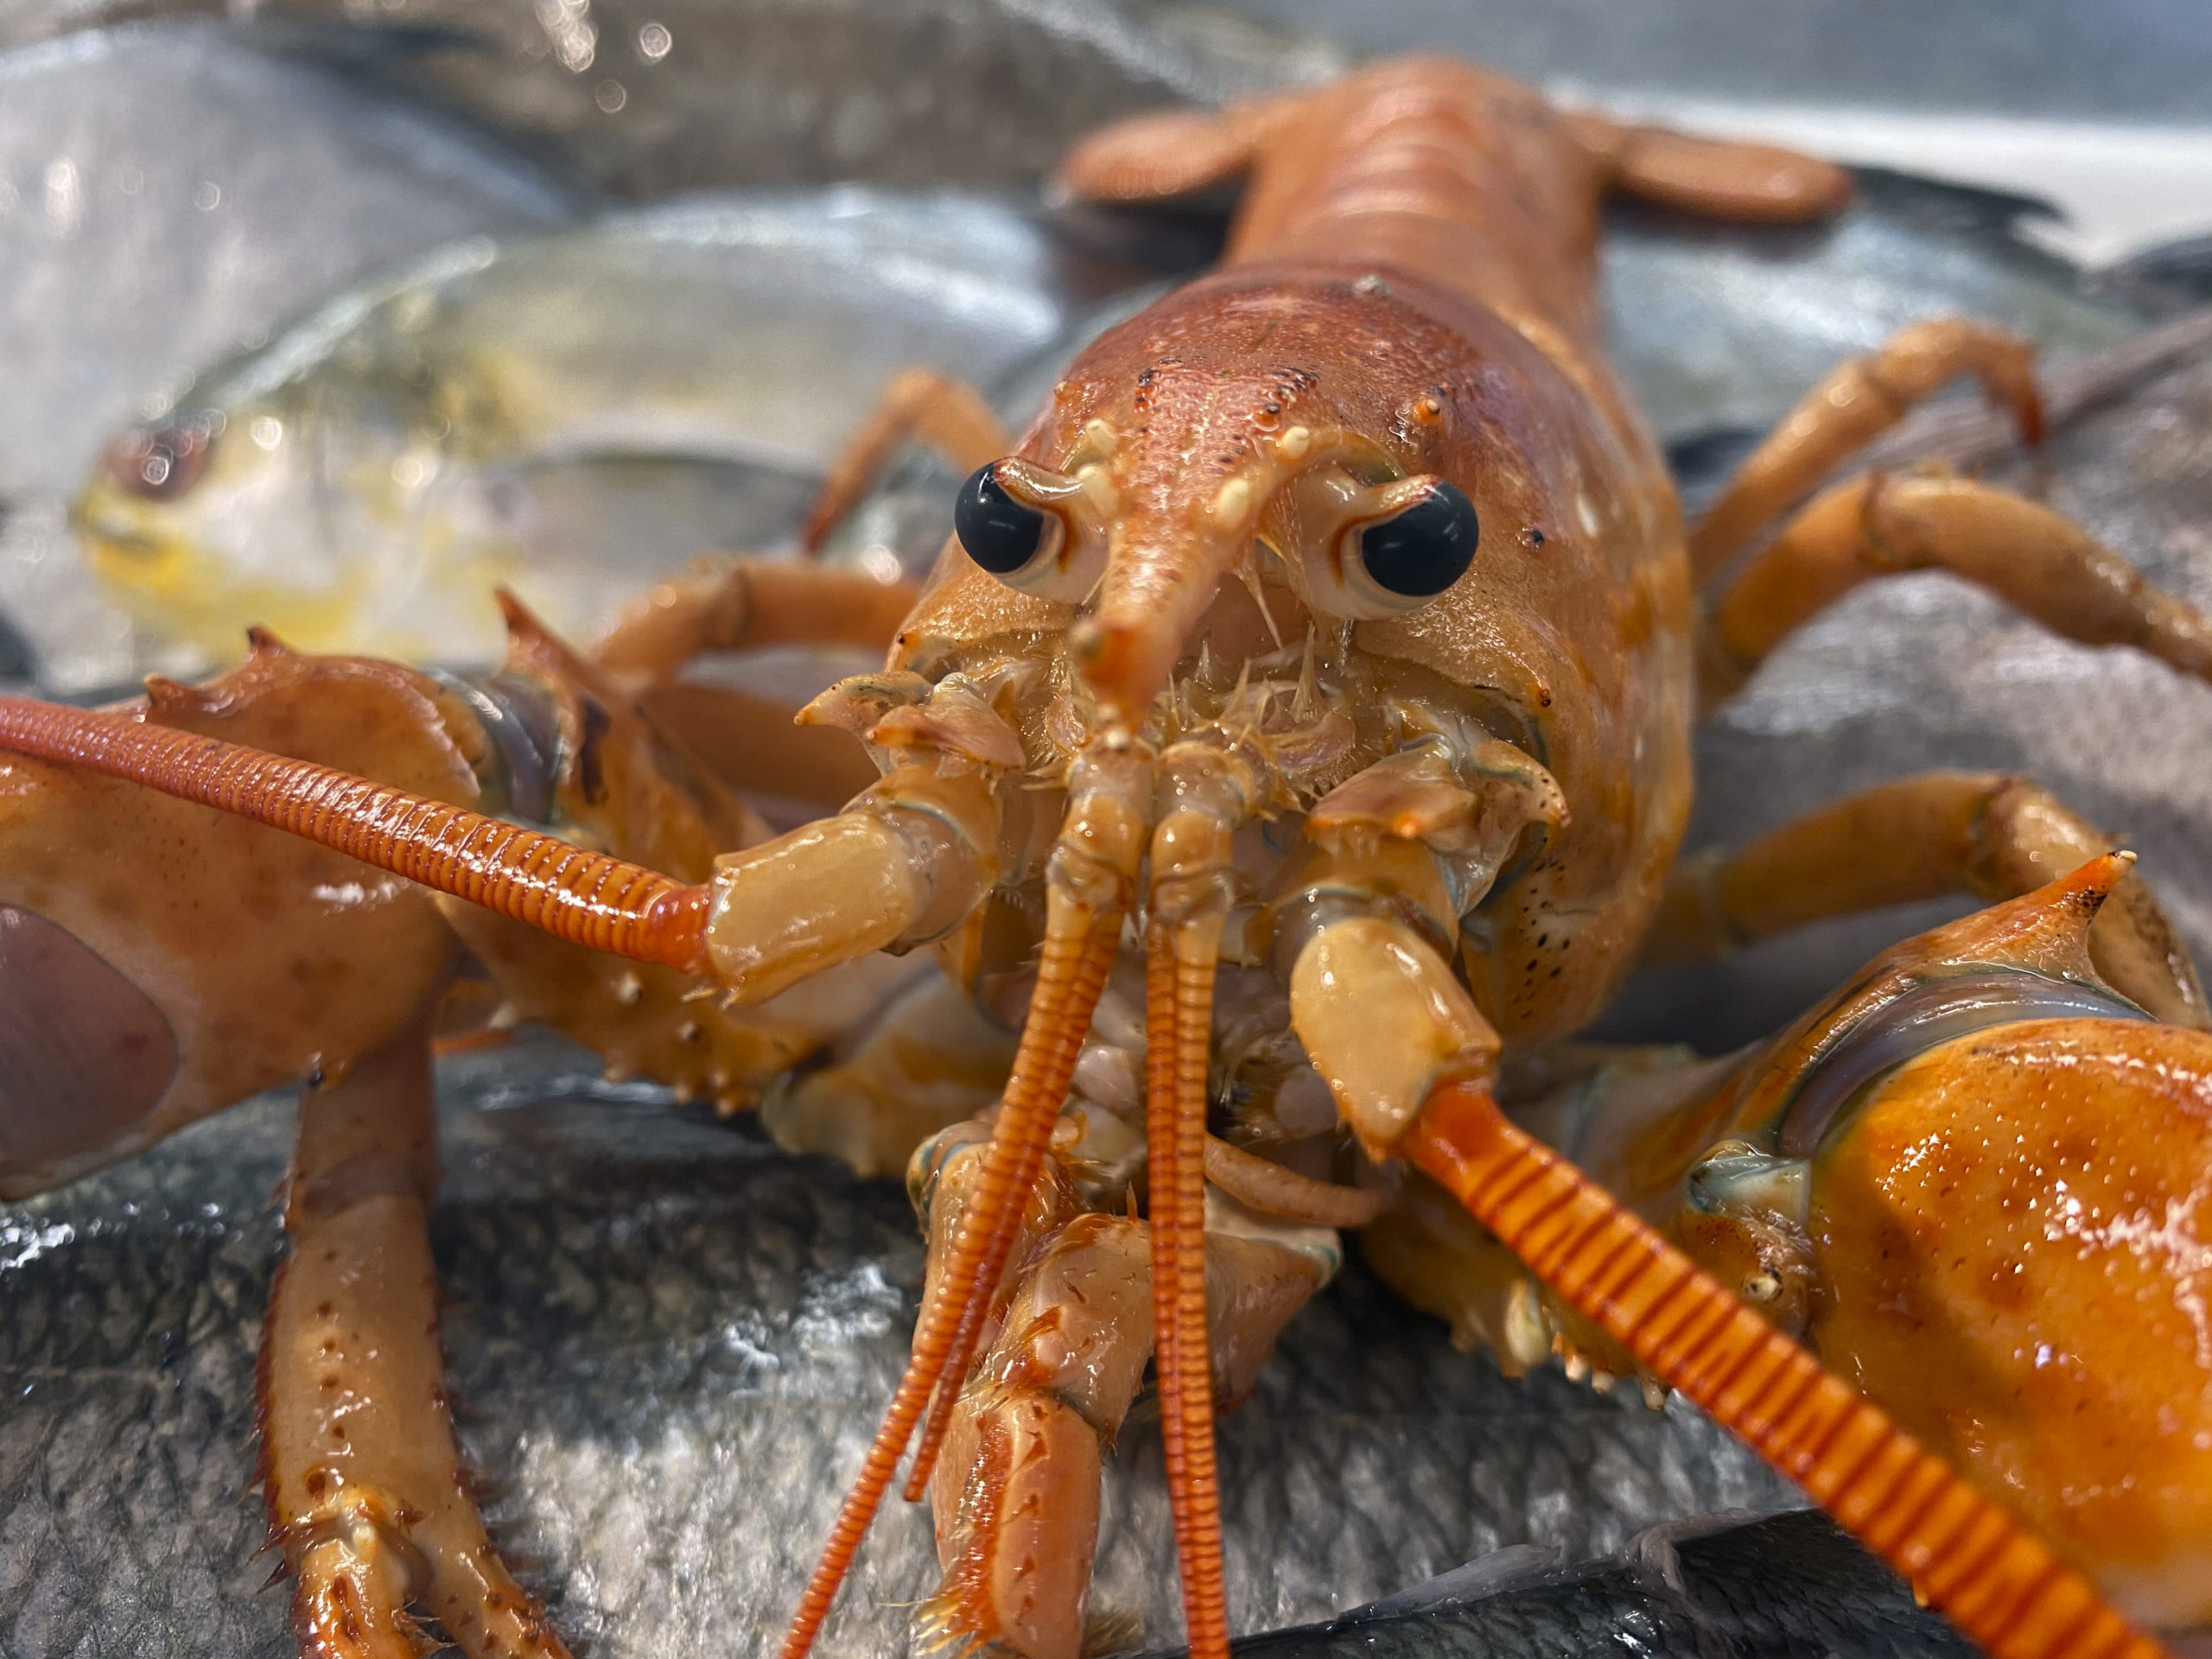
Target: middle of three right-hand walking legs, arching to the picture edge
column 2021, row 552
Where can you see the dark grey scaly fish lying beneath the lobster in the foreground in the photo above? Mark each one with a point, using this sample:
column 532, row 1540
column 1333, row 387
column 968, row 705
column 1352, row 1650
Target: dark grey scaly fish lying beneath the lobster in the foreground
column 671, row 1344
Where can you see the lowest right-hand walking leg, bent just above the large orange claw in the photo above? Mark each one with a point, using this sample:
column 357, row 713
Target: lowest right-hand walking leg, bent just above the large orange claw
column 1939, row 833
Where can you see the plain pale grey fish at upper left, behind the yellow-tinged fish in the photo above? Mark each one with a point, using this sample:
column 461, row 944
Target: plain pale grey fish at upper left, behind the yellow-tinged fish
column 147, row 227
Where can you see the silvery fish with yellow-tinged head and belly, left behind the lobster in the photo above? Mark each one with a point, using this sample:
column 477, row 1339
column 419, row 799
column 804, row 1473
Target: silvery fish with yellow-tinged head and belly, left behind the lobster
column 574, row 415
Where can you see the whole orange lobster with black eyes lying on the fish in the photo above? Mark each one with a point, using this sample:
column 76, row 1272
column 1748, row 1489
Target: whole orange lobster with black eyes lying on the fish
column 1293, row 742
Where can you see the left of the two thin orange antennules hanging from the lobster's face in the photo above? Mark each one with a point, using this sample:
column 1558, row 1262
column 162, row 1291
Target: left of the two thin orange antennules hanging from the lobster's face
column 1087, row 893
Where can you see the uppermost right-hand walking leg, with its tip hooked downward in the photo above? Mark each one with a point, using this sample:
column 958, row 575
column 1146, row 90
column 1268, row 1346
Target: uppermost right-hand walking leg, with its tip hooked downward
column 1855, row 404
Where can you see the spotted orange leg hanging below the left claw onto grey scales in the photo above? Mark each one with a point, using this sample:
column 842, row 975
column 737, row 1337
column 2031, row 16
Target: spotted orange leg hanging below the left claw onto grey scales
column 366, row 1490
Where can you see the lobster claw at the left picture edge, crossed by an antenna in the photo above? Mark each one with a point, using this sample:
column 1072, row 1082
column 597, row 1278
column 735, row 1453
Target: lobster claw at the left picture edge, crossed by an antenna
column 121, row 1025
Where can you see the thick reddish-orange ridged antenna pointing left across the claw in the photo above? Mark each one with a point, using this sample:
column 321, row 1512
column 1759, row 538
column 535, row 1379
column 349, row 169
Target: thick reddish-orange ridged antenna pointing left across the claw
column 539, row 879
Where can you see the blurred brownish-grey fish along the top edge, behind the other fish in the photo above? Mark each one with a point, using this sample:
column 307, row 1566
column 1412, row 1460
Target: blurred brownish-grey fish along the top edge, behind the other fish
column 654, row 96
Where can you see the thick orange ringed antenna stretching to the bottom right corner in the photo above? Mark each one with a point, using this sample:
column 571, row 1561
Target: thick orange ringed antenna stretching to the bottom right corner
column 1974, row 1563
